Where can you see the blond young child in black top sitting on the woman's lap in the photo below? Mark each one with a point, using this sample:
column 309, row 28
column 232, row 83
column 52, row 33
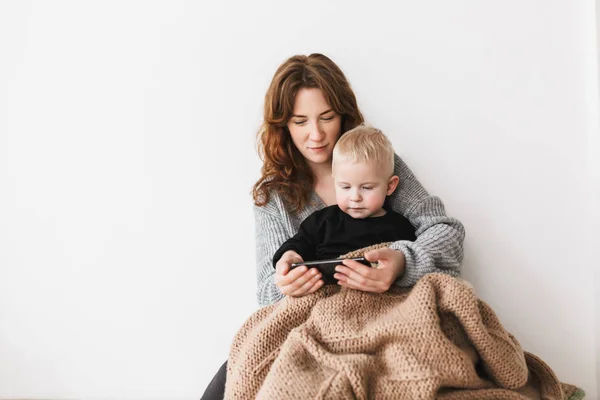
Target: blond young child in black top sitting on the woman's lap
column 362, row 169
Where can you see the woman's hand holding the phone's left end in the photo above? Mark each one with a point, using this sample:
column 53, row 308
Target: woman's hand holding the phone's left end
column 299, row 281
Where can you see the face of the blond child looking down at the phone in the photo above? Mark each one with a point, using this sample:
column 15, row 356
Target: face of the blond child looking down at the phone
column 361, row 189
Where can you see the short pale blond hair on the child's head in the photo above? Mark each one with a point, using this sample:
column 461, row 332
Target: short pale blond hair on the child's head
column 365, row 144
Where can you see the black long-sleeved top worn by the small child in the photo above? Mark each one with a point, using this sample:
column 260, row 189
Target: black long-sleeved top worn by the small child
column 330, row 233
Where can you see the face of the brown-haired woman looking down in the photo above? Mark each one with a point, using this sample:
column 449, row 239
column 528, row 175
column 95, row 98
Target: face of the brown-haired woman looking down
column 314, row 126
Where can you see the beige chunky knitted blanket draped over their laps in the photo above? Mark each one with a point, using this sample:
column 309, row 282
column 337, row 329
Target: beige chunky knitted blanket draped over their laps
column 436, row 340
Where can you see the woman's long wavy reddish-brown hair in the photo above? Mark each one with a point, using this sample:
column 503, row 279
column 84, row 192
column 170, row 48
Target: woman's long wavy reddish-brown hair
column 284, row 169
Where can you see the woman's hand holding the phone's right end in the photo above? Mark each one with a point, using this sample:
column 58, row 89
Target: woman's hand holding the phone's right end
column 352, row 274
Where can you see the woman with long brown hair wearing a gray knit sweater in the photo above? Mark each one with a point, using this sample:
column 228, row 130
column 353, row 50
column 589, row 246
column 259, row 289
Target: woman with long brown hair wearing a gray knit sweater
column 308, row 106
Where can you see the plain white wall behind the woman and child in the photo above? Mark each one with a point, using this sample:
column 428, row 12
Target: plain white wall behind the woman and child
column 127, row 156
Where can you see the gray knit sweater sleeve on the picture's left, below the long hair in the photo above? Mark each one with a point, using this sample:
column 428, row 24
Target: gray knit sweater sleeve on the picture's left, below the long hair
column 270, row 235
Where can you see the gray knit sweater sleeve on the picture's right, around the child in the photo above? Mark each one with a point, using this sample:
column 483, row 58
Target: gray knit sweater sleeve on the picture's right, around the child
column 439, row 244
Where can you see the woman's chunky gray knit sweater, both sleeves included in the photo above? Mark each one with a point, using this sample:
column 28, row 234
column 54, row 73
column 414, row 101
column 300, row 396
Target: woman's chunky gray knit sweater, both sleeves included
column 438, row 248
